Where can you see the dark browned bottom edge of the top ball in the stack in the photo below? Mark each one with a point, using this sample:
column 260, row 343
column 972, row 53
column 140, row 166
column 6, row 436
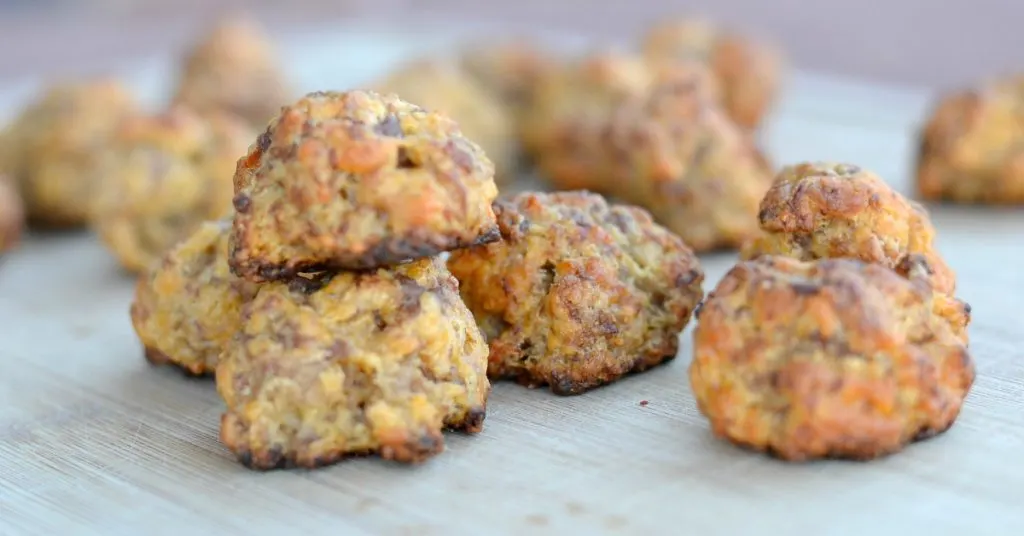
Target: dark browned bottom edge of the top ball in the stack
column 395, row 251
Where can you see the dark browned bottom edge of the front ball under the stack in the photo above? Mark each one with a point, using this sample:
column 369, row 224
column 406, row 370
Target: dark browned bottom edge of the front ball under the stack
column 414, row 452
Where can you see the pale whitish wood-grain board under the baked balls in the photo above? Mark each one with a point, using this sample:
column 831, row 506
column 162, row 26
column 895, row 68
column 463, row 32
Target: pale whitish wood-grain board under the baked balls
column 94, row 441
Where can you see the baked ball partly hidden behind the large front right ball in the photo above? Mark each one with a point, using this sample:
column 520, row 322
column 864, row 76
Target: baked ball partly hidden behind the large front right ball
column 832, row 211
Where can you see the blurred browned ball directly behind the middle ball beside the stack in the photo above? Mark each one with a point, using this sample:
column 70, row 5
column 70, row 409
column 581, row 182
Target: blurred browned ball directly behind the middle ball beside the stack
column 675, row 153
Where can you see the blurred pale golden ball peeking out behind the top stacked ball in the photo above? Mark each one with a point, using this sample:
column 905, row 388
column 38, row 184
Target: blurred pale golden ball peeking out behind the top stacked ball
column 443, row 87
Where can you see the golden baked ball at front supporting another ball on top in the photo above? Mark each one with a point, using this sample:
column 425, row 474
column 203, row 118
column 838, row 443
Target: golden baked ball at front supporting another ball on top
column 353, row 363
